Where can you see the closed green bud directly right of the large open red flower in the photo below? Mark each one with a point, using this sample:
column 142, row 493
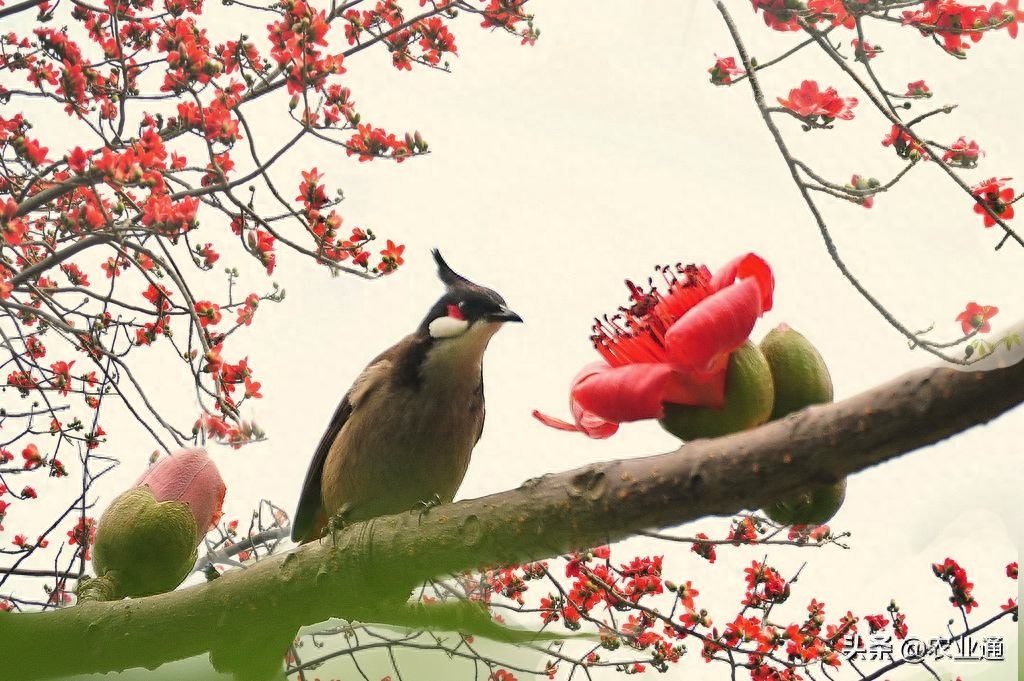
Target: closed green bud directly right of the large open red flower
column 800, row 375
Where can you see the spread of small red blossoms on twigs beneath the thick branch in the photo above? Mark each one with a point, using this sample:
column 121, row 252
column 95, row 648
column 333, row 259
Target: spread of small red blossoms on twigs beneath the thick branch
column 624, row 604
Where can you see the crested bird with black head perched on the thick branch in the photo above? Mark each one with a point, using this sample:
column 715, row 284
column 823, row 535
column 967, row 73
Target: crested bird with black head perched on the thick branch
column 403, row 436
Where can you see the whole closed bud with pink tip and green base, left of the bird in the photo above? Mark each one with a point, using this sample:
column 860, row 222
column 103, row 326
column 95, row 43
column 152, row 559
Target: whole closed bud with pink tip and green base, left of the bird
column 147, row 539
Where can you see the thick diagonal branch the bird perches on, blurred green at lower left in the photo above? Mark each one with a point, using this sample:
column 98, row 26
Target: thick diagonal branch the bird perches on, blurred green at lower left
column 247, row 618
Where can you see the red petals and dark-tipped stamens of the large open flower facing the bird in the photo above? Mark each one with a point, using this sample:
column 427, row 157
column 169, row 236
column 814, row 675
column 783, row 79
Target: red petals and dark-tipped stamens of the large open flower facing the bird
column 671, row 348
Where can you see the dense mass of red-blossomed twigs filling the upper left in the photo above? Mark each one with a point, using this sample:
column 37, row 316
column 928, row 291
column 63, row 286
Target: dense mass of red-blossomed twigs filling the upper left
column 156, row 179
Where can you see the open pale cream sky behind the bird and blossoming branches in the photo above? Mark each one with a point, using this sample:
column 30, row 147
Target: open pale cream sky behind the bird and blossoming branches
column 562, row 169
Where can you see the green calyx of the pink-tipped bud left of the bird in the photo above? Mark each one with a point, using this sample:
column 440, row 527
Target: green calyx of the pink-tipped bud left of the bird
column 145, row 546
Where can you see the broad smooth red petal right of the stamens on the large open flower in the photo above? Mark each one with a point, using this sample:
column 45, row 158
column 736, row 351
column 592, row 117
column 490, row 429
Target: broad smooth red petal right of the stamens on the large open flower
column 715, row 327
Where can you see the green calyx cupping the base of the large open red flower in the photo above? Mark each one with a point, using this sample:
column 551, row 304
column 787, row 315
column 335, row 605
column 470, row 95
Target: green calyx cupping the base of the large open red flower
column 749, row 399
